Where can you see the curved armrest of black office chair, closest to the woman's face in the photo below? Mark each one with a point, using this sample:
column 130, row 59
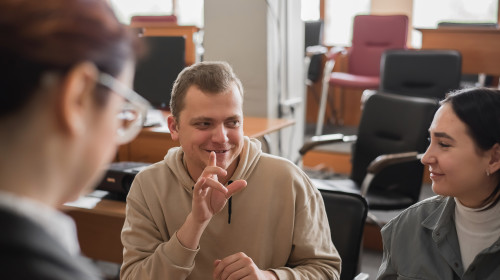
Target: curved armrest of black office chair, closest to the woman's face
column 383, row 161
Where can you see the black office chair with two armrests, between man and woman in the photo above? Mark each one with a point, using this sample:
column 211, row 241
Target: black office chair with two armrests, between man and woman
column 391, row 137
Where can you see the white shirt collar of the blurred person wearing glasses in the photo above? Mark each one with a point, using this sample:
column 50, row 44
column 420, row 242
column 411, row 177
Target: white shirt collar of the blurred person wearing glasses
column 57, row 224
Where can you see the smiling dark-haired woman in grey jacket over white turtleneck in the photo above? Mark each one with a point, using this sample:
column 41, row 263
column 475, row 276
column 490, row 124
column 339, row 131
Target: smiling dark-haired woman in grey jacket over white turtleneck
column 456, row 234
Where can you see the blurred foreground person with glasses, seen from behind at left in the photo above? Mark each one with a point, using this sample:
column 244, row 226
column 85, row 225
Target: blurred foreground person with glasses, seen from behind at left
column 65, row 67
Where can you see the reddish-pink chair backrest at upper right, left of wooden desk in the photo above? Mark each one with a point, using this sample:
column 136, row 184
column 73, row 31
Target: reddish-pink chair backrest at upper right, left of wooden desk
column 372, row 35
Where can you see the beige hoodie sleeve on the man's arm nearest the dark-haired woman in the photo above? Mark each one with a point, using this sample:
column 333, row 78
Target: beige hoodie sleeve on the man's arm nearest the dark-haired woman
column 313, row 254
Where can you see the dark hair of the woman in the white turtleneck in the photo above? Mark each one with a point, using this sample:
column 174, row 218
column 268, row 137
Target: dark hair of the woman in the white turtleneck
column 479, row 109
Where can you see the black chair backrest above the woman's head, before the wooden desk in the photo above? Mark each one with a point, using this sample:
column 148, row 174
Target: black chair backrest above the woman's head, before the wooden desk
column 423, row 73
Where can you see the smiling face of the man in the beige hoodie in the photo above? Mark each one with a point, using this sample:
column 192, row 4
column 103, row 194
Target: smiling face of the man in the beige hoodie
column 210, row 122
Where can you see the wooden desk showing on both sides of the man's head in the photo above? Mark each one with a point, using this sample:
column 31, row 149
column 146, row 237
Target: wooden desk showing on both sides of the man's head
column 152, row 144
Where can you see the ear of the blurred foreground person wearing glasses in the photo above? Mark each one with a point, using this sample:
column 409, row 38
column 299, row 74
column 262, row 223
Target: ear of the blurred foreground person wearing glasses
column 76, row 99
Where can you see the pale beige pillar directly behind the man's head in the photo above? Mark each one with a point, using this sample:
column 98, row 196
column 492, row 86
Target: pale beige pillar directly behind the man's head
column 235, row 32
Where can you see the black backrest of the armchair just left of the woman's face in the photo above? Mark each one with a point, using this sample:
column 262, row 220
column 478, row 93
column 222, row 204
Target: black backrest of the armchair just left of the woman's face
column 393, row 124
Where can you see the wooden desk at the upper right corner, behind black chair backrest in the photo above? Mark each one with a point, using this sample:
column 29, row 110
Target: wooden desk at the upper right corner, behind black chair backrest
column 480, row 48
